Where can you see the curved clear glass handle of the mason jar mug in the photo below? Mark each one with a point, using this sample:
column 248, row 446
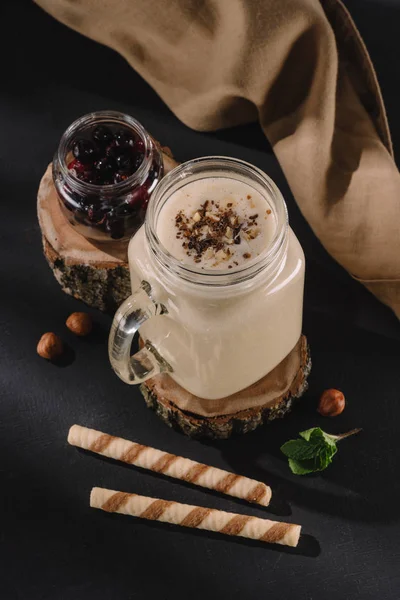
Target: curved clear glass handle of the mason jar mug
column 136, row 310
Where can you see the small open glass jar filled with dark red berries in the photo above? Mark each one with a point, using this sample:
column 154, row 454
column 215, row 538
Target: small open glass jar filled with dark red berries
column 104, row 171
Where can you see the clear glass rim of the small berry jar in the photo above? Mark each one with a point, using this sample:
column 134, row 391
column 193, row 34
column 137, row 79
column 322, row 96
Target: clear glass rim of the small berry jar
column 104, row 116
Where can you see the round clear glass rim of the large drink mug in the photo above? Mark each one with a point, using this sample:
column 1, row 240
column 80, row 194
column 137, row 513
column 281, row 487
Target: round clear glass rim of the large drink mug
column 204, row 167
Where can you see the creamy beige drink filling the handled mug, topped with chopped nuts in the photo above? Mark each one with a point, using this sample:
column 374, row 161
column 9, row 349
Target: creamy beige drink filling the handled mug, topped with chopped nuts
column 239, row 311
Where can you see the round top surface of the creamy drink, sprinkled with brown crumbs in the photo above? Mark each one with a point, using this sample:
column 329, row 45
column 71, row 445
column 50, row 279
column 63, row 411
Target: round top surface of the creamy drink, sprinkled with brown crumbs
column 216, row 223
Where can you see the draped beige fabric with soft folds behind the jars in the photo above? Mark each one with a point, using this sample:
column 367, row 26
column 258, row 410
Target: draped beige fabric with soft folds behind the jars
column 302, row 69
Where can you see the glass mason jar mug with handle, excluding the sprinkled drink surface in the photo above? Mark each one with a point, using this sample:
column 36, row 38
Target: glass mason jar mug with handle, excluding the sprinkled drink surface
column 214, row 331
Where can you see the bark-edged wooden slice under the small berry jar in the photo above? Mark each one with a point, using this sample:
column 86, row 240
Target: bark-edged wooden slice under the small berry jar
column 96, row 274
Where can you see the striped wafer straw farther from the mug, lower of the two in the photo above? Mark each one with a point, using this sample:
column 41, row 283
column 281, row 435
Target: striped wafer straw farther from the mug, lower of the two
column 197, row 517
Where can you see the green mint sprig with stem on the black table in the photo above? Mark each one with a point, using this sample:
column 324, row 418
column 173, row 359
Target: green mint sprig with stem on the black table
column 313, row 452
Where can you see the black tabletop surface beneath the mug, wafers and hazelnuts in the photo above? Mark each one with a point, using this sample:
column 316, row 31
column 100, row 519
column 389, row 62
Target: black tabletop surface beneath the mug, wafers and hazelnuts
column 53, row 546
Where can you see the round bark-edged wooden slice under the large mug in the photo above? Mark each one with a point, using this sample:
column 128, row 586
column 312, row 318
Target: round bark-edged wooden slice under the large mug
column 161, row 391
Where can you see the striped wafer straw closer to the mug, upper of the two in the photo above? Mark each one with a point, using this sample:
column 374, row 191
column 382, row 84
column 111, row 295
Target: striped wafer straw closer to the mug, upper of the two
column 170, row 464
